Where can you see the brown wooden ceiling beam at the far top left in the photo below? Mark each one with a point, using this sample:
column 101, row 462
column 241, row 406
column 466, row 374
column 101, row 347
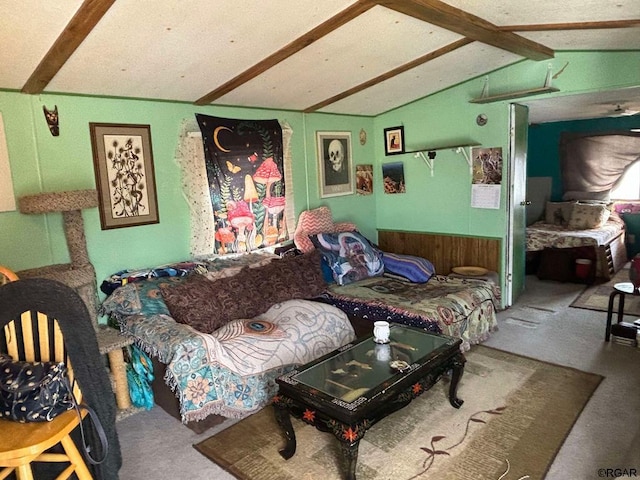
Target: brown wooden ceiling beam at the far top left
column 87, row 17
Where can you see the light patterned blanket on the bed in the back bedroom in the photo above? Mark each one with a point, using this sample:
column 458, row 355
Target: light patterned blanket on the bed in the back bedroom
column 541, row 235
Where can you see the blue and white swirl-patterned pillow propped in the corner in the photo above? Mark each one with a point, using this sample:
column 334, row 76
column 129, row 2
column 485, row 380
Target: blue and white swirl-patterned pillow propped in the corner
column 350, row 256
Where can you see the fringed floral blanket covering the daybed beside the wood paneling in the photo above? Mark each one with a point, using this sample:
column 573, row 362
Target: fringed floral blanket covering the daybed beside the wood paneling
column 459, row 307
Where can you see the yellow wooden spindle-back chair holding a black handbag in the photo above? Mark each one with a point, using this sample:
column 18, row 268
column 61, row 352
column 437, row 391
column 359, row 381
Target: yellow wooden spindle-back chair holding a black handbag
column 34, row 336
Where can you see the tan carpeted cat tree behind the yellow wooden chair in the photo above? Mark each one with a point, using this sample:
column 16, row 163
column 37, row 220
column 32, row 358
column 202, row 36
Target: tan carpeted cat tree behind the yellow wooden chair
column 80, row 274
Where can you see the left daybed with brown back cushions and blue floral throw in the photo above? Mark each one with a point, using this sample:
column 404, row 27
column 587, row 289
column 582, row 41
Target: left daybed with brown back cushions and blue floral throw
column 226, row 370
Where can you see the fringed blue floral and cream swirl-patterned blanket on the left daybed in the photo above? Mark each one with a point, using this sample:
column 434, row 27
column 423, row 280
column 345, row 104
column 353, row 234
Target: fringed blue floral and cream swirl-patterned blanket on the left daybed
column 232, row 372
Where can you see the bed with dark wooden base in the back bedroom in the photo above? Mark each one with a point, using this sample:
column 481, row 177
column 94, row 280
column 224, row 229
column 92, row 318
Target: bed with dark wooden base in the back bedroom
column 573, row 230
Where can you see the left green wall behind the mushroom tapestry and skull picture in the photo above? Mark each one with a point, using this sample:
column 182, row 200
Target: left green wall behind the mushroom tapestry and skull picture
column 43, row 163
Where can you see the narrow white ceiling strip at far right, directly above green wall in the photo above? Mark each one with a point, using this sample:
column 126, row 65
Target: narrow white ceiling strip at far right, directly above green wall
column 603, row 39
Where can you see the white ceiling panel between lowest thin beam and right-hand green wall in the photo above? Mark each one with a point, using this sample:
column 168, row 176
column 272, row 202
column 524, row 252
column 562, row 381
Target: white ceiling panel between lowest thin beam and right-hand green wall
column 467, row 62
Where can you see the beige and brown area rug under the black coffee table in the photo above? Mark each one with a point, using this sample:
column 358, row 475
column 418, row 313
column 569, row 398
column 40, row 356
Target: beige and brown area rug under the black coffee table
column 516, row 414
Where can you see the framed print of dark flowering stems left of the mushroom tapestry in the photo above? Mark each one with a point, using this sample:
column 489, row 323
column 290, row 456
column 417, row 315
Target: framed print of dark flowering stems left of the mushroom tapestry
column 125, row 179
